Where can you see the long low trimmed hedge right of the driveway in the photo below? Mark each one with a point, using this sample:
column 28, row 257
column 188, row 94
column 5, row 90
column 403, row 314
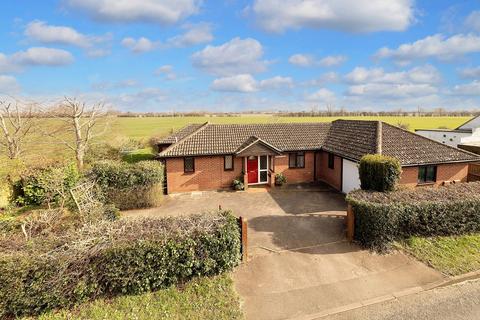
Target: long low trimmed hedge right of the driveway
column 381, row 218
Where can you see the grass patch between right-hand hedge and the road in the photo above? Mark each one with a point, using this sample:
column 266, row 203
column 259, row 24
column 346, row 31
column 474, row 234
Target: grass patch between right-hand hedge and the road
column 450, row 255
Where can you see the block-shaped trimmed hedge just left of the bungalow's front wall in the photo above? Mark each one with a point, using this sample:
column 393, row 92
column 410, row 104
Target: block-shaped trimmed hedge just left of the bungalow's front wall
column 129, row 186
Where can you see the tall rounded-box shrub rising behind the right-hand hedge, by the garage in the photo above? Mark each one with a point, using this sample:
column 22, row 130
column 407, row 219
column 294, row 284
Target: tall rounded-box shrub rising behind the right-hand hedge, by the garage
column 379, row 172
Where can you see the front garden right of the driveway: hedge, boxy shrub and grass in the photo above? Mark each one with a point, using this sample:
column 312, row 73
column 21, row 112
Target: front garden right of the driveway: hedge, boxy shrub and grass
column 440, row 226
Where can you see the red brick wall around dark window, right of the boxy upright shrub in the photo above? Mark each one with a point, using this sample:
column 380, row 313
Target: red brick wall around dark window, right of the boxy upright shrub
column 445, row 172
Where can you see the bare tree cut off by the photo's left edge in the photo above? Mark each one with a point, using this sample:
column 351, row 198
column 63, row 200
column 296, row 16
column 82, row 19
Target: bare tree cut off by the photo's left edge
column 16, row 121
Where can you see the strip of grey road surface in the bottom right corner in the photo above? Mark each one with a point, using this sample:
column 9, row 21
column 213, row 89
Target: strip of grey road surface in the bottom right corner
column 459, row 302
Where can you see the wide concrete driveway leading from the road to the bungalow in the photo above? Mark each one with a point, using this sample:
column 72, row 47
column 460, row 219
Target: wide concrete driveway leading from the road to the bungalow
column 300, row 265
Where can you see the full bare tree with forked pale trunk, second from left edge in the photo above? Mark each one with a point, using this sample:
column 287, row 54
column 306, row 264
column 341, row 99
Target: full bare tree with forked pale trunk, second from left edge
column 81, row 123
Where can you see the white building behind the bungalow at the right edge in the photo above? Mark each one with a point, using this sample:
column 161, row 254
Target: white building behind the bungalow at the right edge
column 466, row 136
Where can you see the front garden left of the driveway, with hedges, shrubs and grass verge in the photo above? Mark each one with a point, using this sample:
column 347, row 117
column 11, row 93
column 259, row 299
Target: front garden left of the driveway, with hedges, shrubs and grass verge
column 63, row 247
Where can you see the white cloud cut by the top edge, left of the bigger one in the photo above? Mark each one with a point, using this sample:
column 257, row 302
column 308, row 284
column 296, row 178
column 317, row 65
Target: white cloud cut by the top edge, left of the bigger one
column 154, row 11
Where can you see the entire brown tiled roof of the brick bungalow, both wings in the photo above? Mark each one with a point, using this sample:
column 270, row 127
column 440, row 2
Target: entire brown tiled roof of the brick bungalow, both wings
column 350, row 139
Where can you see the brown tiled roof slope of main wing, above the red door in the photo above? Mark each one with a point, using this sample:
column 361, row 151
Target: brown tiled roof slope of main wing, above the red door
column 212, row 139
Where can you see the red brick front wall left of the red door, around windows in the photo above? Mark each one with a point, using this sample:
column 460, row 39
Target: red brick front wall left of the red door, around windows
column 209, row 174
